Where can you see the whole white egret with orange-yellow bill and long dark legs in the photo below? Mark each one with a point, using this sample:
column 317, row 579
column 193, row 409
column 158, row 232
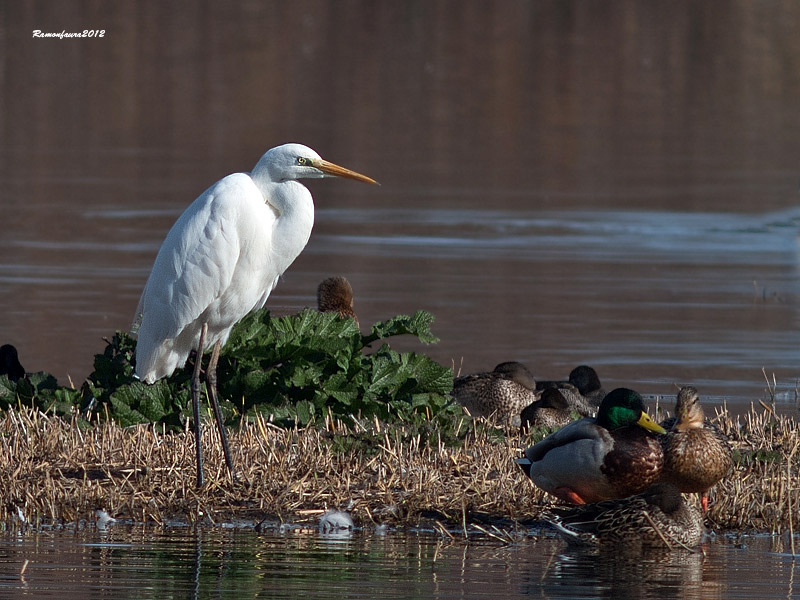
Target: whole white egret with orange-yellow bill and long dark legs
column 220, row 261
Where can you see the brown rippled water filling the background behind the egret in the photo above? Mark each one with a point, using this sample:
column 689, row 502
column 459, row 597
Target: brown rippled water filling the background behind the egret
column 562, row 182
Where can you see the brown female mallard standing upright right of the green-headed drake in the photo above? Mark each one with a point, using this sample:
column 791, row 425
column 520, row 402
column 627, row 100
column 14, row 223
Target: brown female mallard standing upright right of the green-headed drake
column 696, row 454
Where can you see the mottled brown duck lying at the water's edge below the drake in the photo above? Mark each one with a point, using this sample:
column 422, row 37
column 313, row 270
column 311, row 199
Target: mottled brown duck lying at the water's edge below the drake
column 657, row 517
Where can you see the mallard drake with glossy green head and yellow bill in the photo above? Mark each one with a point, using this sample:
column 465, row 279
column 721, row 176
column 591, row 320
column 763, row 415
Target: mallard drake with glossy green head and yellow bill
column 612, row 456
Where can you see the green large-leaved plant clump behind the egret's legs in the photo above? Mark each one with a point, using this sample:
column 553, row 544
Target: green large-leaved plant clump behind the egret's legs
column 295, row 369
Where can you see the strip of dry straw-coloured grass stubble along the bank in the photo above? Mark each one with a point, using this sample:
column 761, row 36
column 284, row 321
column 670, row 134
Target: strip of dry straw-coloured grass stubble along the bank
column 54, row 470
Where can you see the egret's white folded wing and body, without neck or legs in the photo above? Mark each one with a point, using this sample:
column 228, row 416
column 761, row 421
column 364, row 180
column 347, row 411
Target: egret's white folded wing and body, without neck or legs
column 214, row 267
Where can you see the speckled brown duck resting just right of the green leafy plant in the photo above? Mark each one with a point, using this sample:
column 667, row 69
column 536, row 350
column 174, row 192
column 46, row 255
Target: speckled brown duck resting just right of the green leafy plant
column 503, row 392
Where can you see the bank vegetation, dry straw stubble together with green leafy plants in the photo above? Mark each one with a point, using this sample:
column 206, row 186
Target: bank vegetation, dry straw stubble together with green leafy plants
column 321, row 417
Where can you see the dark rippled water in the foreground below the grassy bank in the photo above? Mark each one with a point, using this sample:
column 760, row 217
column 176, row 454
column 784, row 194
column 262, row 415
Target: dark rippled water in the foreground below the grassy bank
column 178, row 562
